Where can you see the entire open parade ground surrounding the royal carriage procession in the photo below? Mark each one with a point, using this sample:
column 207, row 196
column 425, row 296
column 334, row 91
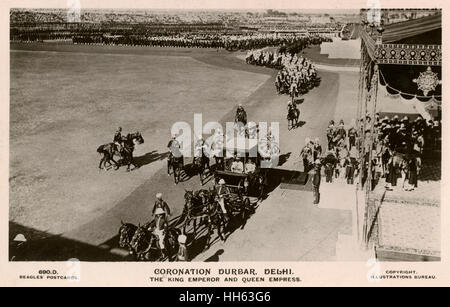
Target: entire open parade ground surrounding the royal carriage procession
column 66, row 100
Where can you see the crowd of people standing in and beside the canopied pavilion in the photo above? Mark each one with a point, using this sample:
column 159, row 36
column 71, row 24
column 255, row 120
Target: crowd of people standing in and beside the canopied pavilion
column 397, row 151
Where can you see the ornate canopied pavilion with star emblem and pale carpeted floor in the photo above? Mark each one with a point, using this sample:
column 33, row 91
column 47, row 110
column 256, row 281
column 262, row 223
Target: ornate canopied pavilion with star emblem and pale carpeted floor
column 400, row 74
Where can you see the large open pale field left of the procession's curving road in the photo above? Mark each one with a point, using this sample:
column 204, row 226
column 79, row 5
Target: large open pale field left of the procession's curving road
column 65, row 104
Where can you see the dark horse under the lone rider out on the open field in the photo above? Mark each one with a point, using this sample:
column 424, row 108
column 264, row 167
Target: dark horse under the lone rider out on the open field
column 126, row 153
